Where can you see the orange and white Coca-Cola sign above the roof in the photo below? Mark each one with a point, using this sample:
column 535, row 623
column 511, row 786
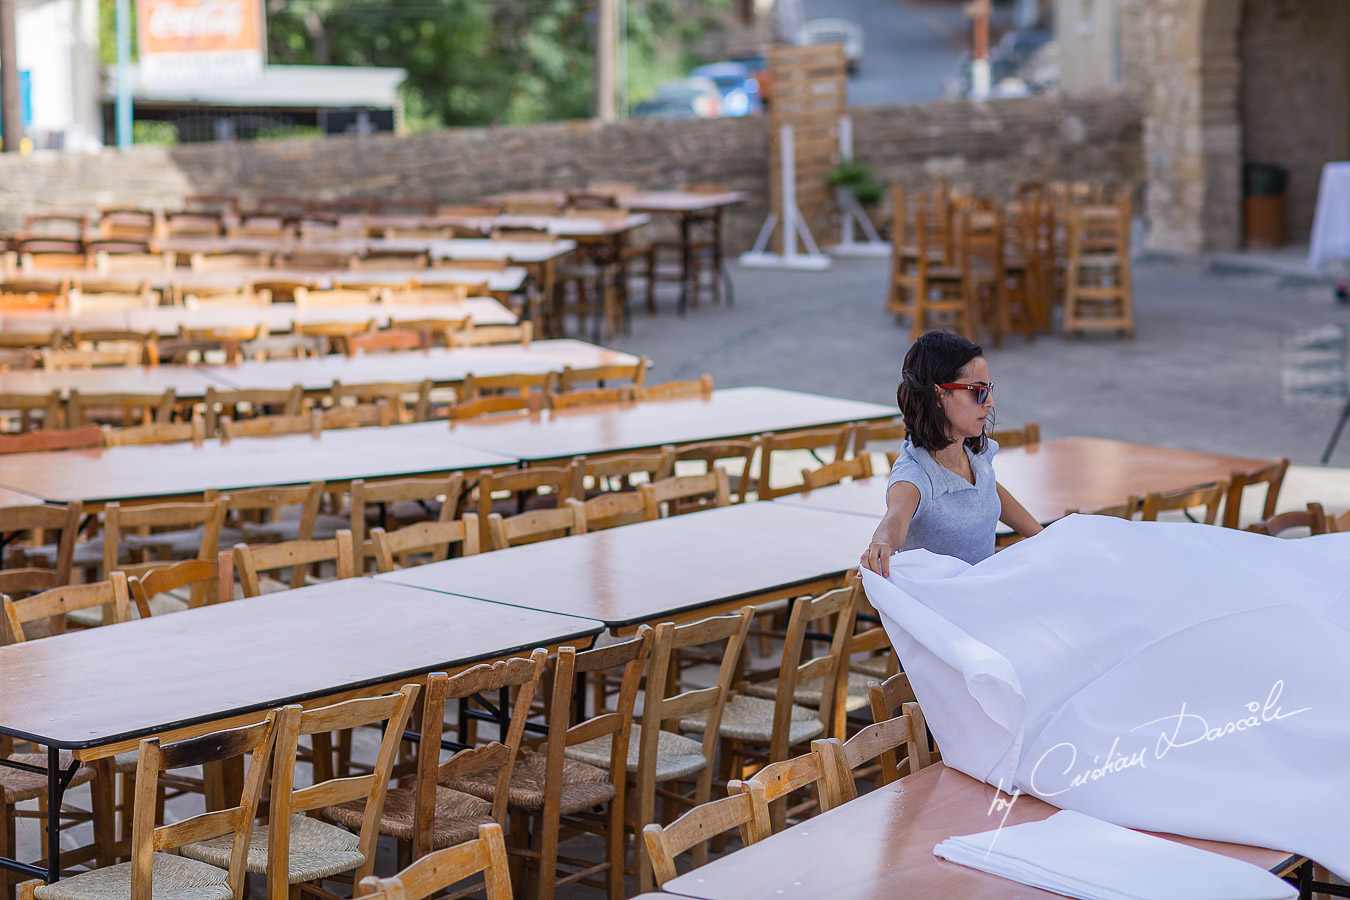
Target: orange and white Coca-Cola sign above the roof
column 186, row 43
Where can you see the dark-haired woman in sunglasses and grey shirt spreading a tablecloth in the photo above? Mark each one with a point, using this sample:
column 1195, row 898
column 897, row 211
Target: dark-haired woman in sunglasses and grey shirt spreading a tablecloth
column 942, row 495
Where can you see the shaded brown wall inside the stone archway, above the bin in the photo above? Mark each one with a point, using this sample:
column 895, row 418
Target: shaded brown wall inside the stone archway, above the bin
column 1295, row 99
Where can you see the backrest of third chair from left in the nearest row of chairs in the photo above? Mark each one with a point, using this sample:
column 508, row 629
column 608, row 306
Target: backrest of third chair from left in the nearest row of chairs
column 519, row 677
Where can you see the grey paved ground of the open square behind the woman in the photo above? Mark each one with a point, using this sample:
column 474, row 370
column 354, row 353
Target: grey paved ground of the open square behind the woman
column 1204, row 372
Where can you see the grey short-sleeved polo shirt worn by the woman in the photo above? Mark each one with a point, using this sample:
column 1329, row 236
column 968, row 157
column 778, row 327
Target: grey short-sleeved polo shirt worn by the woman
column 955, row 517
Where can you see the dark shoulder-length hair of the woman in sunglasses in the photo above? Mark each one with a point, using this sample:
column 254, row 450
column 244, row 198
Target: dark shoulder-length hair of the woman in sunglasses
column 935, row 360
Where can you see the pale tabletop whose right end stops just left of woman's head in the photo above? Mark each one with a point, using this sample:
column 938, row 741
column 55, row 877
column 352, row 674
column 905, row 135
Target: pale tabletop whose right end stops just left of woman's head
column 734, row 412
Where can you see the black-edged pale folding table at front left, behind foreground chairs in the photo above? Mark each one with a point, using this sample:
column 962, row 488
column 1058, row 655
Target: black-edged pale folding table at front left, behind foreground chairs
column 98, row 693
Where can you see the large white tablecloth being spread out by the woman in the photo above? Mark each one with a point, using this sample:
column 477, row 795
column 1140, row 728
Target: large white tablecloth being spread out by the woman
column 1160, row 677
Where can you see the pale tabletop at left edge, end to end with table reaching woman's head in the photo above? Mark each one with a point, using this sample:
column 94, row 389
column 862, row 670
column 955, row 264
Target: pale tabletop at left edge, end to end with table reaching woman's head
column 163, row 472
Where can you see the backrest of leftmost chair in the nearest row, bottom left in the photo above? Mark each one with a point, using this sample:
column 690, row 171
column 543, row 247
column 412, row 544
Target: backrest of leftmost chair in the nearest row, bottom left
column 256, row 741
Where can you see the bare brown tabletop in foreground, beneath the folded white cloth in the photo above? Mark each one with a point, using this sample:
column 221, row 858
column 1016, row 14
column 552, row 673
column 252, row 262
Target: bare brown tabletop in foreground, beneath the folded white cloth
column 881, row 847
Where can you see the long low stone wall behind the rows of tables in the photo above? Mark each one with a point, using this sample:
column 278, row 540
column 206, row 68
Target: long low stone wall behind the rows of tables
column 990, row 146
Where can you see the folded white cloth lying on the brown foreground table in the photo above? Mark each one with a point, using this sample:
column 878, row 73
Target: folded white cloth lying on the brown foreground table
column 1089, row 859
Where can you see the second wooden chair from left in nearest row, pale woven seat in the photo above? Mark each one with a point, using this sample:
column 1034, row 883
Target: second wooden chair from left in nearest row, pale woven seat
column 294, row 849
